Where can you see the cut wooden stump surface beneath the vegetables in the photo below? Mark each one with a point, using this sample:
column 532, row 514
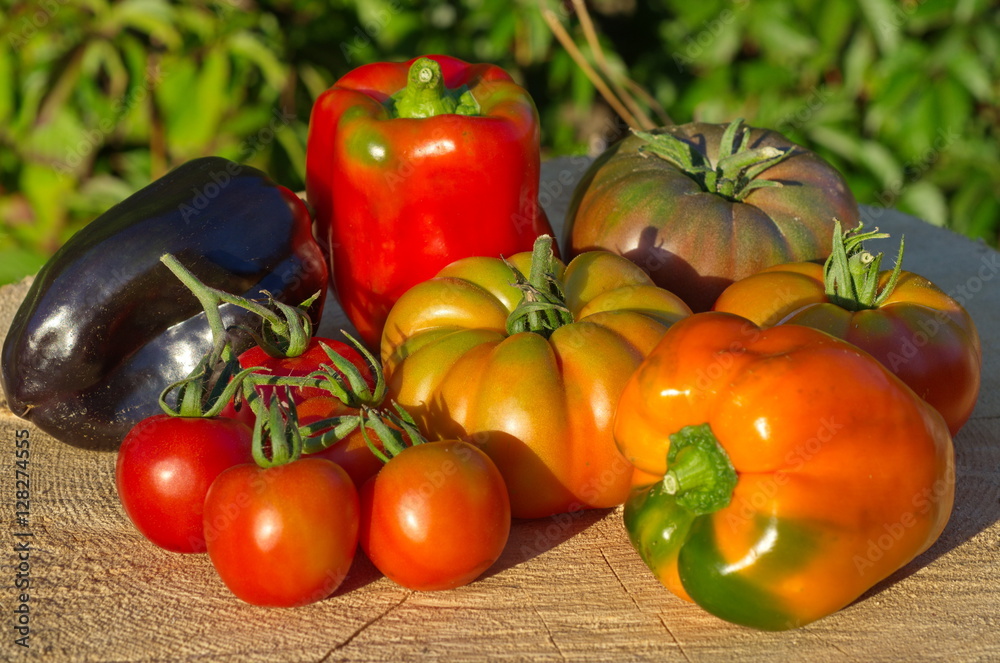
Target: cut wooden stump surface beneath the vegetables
column 568, row 587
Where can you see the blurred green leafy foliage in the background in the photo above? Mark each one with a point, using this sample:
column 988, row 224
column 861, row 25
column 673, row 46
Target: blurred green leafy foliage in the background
column 99, row 97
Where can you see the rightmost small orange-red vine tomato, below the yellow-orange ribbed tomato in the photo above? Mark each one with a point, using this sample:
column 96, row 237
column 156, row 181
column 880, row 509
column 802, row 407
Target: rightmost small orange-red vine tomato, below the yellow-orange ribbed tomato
column 436, row 516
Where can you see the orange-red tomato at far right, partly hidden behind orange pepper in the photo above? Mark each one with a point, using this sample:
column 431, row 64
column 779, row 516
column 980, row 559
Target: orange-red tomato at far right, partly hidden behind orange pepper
column 921, row 334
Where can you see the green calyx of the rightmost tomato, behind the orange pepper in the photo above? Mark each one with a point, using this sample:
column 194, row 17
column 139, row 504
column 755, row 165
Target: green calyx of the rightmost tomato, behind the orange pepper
column 851, row 274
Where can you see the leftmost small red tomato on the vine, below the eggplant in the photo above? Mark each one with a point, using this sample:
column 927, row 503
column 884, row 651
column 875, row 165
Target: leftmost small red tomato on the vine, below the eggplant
column 164, row 469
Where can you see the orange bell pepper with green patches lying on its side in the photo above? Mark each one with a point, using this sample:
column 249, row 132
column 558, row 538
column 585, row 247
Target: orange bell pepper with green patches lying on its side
column 795, row 471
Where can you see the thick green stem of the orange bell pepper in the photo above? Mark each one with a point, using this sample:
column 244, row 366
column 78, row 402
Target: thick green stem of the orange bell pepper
column 699, row 474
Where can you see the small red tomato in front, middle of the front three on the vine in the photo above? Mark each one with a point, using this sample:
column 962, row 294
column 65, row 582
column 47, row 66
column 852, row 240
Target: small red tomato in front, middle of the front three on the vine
column 282, row 536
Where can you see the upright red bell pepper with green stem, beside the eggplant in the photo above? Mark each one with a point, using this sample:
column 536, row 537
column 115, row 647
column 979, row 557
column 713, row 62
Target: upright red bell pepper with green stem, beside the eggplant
column 411, row 166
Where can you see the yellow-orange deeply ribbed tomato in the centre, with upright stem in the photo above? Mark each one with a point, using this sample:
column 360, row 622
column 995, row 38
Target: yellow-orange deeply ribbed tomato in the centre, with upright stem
column 530, row 369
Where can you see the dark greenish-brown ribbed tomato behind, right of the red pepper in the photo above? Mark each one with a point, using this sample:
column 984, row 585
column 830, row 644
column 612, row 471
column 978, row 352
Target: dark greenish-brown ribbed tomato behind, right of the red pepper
column 701, row 205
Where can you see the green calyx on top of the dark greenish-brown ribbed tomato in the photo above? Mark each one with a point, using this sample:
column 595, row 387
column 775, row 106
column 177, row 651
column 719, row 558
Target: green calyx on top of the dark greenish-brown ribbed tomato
column 733, row 176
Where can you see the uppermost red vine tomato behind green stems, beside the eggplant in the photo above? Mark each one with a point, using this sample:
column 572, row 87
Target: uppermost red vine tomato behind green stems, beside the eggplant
column 298, row 366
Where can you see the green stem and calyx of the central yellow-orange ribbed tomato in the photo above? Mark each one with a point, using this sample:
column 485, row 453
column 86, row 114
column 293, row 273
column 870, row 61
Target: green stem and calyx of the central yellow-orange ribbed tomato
column 542, row 308
